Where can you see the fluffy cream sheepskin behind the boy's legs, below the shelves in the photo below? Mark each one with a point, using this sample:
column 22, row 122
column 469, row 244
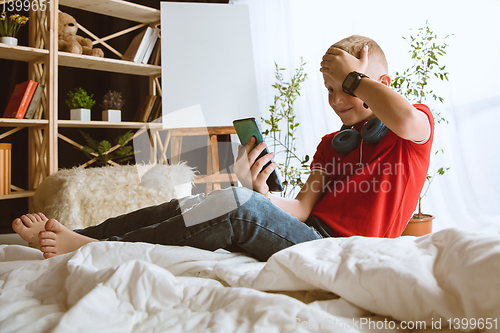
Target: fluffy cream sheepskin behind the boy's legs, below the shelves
column 80, row 198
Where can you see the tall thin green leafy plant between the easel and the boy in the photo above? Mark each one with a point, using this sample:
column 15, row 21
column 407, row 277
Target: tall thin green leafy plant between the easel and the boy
column 283, row 127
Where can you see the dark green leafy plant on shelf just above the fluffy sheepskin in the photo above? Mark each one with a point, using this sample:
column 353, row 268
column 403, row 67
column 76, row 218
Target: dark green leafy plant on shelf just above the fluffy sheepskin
column 103, row 151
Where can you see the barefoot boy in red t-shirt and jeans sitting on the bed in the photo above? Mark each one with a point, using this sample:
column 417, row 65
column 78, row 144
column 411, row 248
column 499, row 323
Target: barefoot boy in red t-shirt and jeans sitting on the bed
column 371, row 191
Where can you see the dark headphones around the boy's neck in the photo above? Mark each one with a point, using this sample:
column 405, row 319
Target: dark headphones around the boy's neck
column 348, row 139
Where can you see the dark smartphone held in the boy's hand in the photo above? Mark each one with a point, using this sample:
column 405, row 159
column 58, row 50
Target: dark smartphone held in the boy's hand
column 246, row 128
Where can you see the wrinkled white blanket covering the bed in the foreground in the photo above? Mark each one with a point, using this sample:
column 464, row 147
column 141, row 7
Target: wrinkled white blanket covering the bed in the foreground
column 352, row 284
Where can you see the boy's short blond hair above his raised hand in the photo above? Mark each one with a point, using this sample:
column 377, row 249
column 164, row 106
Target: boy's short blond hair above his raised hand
column 377, row 64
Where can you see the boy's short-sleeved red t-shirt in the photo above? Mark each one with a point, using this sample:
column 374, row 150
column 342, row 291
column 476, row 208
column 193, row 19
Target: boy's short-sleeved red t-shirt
column 378, row 196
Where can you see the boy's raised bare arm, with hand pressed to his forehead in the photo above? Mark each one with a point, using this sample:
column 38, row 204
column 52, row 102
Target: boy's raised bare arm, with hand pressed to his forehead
column 391, row 108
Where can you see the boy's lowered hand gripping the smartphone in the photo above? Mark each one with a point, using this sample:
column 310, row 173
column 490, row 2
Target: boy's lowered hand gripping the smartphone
column 248, row 168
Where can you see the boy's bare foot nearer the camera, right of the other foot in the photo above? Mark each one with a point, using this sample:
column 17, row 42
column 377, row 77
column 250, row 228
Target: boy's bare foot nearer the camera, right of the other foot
column 57, row 239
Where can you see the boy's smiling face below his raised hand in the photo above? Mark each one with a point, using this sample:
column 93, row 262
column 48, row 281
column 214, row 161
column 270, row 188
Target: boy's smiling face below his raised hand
column 350, row 109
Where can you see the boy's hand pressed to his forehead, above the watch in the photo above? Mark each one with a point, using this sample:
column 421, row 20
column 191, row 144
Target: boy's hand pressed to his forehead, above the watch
column 338, row 64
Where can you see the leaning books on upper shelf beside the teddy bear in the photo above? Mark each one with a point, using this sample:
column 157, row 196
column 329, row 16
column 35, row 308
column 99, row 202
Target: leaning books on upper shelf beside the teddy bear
column 145, row 47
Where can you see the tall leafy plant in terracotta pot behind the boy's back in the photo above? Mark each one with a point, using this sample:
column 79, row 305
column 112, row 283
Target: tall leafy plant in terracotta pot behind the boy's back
column 413, row 84
